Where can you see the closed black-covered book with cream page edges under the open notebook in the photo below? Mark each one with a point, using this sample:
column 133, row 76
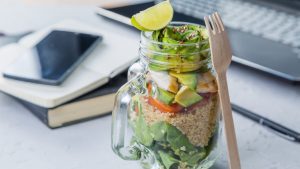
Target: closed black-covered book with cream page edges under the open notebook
column 88, row 106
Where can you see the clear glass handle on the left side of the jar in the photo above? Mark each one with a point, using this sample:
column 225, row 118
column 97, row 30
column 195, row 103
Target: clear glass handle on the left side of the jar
column 120, row 117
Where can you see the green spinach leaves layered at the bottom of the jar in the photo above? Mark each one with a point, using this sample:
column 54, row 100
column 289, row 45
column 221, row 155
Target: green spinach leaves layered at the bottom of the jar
column 169, row 144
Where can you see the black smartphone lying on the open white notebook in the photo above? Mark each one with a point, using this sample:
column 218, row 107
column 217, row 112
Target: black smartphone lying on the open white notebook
column 52, row 59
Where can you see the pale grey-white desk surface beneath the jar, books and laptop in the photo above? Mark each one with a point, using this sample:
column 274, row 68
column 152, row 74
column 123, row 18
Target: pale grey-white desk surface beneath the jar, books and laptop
column 25, row 143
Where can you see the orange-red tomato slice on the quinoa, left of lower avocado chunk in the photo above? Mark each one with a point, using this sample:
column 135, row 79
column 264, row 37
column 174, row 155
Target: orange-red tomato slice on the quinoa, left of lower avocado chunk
column 173, row 108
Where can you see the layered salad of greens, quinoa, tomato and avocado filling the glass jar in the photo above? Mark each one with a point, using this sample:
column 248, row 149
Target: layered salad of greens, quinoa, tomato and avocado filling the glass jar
column 177, row 119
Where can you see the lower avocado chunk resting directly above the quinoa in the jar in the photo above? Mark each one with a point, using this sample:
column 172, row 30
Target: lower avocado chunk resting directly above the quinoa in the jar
column 186, row 97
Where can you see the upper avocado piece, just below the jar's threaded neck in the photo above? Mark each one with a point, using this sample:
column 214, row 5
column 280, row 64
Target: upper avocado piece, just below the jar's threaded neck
column 187, row 79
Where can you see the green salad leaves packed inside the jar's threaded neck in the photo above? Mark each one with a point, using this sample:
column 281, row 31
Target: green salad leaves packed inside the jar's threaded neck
column 187, row 46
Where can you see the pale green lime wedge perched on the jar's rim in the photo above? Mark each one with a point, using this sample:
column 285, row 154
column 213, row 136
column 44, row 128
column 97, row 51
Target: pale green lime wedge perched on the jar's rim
column 153, row 18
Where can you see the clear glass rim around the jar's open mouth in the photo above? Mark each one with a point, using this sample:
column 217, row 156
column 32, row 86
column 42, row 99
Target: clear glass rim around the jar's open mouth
column 173, row 23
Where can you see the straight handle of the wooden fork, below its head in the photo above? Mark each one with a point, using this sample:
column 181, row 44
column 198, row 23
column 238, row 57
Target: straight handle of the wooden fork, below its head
column 232, row 148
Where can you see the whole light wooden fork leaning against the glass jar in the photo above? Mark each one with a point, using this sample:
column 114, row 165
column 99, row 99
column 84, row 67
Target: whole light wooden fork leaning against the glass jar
column 221, row 58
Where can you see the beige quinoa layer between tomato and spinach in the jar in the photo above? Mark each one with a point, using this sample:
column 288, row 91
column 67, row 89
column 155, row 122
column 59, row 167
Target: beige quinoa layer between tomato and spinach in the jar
column 197, row 123
